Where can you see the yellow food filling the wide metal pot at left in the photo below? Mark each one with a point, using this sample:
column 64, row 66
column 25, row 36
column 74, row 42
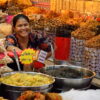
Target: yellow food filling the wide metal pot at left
column 25, row 79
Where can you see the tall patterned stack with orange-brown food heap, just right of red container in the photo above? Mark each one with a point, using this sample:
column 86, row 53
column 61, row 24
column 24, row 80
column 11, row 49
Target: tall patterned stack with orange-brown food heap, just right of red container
column 78, row 38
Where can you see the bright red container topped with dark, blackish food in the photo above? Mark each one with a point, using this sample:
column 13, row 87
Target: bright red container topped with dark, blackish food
column 62, row 42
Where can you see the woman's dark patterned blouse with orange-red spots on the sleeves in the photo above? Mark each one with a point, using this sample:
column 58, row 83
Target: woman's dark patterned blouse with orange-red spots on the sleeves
column 35, row 42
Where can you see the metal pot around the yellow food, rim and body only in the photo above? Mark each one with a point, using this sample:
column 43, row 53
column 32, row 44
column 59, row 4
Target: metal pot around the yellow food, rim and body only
column 12, row 92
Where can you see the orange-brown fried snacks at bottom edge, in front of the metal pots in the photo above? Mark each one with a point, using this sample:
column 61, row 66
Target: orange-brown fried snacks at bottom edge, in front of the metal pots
column 30, row 95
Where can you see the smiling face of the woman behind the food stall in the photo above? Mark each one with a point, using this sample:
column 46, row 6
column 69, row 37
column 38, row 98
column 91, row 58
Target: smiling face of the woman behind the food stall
column 22, row 27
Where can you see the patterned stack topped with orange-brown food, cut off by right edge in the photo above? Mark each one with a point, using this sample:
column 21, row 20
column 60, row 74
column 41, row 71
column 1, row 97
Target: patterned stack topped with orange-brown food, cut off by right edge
column 92, row 54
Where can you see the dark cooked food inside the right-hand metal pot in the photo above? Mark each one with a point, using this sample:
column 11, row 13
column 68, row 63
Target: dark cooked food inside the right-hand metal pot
column 66, row 73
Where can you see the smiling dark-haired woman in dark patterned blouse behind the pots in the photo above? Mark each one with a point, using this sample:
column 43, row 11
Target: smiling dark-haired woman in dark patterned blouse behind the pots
column 22, row 38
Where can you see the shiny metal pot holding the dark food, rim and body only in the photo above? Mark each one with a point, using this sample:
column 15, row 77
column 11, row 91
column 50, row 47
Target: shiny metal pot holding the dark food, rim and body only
column 67, row 83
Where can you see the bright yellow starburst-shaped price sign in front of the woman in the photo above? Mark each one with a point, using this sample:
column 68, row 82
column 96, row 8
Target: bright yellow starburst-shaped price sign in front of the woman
column 27, row 56
